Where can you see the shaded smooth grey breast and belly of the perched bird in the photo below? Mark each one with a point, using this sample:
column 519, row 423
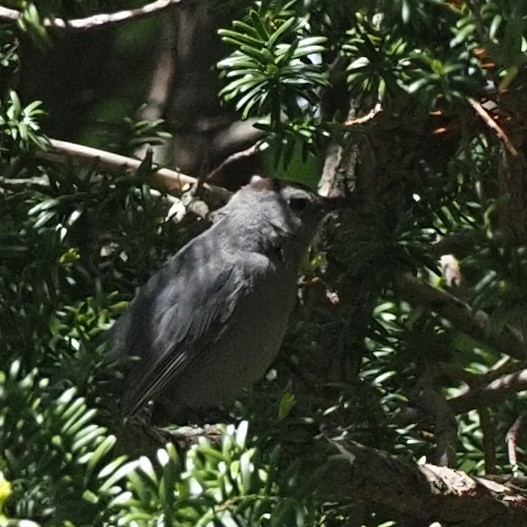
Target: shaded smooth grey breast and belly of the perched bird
column 245, row 347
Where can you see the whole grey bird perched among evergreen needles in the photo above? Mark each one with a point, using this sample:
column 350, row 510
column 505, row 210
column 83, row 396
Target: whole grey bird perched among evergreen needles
column 212, row 319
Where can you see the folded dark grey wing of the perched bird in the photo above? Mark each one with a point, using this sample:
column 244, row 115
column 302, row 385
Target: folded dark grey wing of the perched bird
column 173, row 320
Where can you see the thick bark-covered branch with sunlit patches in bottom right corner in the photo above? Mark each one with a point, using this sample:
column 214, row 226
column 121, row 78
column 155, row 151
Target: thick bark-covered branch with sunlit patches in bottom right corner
column 426, row 493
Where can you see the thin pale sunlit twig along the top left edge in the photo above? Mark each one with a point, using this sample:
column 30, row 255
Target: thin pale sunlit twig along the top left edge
column 96, row 21
